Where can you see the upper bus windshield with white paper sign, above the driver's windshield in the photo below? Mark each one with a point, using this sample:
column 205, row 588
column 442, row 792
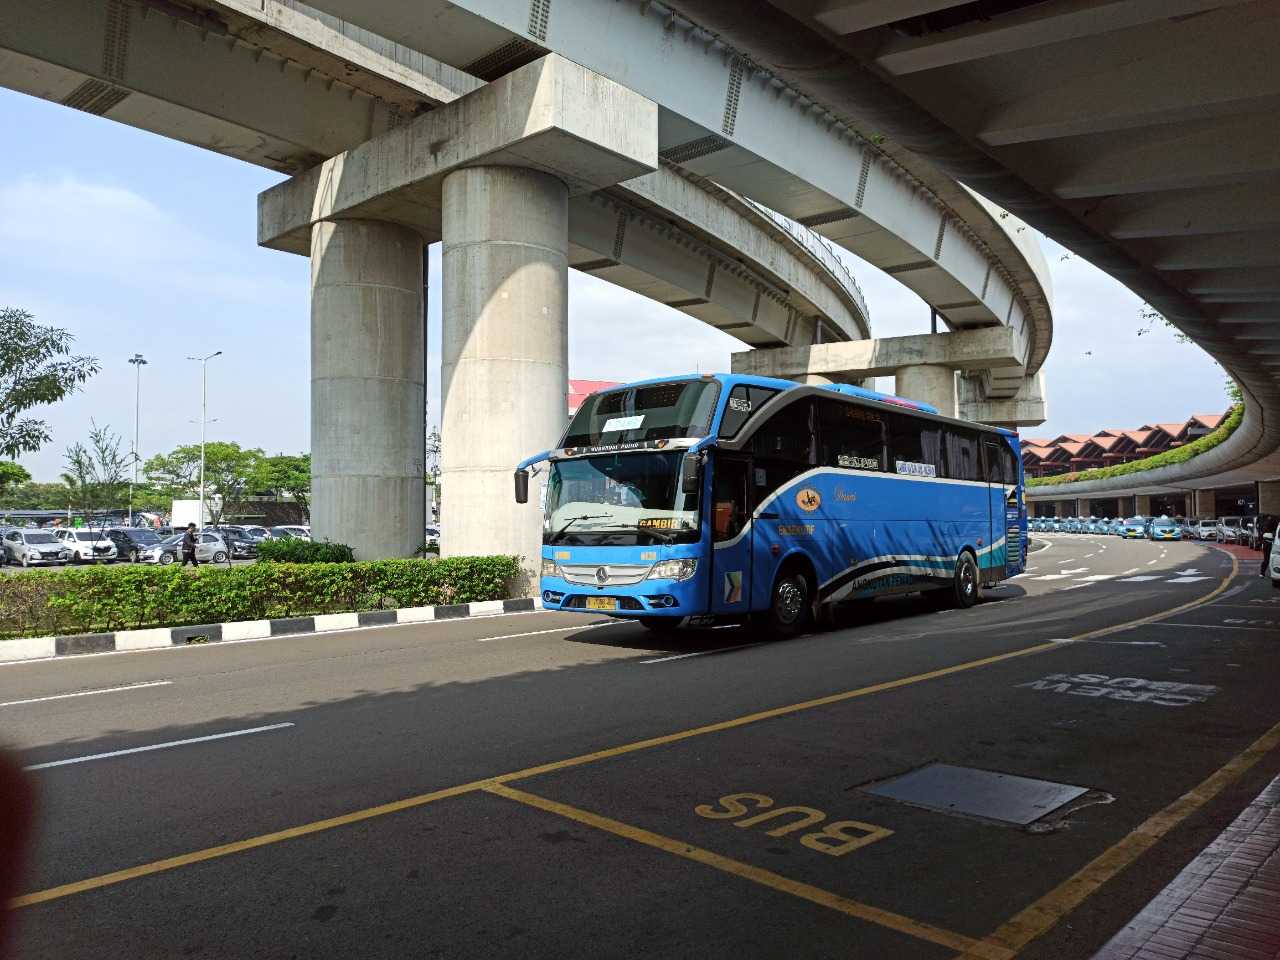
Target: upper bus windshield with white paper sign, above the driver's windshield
column 648, row 413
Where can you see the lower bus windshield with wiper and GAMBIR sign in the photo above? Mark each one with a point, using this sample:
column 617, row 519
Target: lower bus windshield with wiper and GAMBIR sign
column 620, row 500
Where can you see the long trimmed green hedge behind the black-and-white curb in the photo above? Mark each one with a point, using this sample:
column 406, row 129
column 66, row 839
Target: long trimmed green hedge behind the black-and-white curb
column 43, row 604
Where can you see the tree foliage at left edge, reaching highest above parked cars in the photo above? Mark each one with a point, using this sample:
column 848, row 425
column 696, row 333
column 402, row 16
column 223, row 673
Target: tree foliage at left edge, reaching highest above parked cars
column 36, row 368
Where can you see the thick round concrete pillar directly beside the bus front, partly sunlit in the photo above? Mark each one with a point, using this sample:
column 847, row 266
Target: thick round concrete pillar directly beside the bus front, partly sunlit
column 505, row 351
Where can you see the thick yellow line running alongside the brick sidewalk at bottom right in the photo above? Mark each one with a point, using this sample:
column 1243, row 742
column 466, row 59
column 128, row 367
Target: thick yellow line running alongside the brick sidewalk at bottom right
column 1045, row 913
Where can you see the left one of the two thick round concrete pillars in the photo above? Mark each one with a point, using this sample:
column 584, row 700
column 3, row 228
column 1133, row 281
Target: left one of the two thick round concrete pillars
column 368, row 342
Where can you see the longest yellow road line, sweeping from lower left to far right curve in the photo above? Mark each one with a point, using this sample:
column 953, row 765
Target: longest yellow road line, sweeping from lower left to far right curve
column 422, row 799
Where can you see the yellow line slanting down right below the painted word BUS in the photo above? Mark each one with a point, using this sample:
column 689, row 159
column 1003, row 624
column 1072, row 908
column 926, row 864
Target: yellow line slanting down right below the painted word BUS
column 815, row 895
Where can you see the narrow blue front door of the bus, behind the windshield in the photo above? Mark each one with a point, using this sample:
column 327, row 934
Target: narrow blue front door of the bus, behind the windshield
column 732, row 534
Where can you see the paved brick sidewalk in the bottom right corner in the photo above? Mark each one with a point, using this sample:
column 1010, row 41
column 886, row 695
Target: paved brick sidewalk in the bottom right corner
column 1226, row 906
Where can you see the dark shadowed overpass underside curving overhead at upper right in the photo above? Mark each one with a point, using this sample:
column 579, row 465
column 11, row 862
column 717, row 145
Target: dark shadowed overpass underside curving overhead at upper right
column 1144, row 136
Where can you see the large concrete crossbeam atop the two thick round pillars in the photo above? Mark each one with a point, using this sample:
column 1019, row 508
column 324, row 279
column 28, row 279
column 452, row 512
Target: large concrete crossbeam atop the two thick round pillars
column 551, row 116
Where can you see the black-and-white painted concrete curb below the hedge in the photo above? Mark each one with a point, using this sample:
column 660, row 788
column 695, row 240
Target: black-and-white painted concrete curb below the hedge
column 38, row 648
